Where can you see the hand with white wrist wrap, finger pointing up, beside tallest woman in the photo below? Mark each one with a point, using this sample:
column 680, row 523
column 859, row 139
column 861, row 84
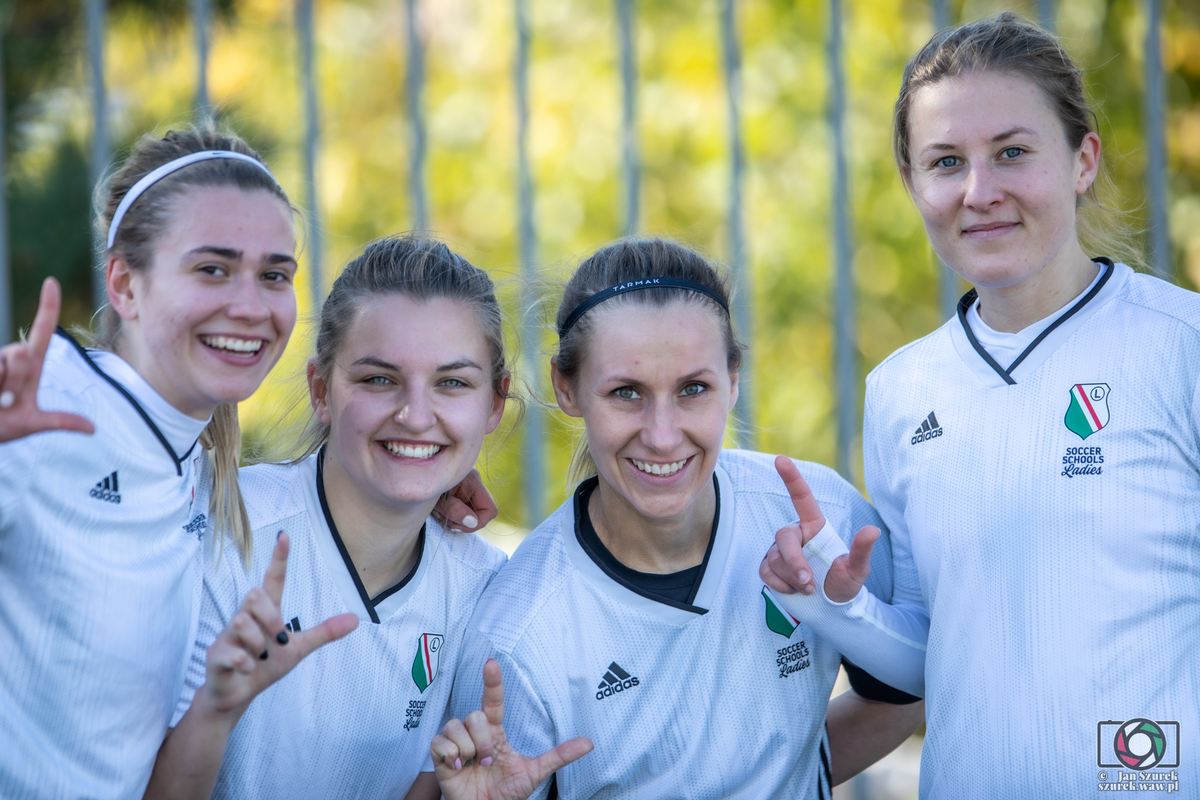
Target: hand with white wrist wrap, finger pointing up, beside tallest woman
column 787, row 570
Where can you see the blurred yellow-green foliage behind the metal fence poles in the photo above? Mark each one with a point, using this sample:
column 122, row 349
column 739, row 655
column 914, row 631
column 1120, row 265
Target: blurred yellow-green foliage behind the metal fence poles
column 575, row 147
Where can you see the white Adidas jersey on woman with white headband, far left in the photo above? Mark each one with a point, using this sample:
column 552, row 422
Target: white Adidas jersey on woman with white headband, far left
column 100, row 581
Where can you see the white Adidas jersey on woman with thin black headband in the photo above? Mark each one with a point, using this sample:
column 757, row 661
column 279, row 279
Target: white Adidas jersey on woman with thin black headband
column 725, row 699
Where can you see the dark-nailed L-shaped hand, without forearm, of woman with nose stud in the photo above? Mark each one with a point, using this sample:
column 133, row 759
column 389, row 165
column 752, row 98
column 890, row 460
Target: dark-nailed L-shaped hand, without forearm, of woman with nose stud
column 255, row 649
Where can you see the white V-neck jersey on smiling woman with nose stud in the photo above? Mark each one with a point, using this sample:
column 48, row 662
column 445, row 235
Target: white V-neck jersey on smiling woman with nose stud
column 355, row 719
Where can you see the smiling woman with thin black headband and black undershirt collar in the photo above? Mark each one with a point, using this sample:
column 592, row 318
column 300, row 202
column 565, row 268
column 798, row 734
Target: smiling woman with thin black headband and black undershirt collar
column 634, row 616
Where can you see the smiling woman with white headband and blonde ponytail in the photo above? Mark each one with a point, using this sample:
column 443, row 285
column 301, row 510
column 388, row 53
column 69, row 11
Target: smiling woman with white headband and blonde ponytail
column 101, row 536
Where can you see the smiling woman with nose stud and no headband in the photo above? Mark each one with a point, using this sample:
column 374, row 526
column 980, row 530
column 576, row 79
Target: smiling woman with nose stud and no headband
column 409, row 378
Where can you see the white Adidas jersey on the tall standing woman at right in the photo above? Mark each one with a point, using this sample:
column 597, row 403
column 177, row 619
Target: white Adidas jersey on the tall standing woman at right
column 1048, row 514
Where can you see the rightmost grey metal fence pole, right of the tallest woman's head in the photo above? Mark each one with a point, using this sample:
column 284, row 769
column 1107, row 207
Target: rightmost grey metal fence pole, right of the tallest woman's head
column 1156, row 151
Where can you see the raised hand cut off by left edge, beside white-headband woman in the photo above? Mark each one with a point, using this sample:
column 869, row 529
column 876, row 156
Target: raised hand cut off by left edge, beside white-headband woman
column 21, row 370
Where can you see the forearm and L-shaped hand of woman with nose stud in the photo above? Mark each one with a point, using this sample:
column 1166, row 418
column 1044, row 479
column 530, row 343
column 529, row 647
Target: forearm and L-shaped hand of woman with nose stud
column 254, row 652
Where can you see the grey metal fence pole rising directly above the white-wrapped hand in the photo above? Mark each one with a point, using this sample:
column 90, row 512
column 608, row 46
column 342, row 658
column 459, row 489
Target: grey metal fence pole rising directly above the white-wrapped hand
column 845, row 345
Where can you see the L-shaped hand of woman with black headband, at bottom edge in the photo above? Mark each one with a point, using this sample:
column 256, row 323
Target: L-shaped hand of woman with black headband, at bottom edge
column 473, row 760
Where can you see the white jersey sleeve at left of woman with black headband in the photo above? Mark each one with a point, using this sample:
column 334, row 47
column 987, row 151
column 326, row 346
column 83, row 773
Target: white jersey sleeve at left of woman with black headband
column 527, row 725
